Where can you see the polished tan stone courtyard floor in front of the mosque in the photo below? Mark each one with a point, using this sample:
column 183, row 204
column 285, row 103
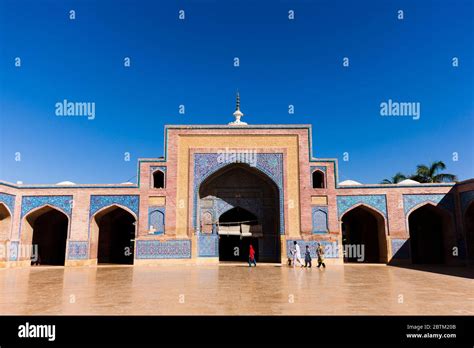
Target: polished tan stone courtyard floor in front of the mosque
column 235, row 289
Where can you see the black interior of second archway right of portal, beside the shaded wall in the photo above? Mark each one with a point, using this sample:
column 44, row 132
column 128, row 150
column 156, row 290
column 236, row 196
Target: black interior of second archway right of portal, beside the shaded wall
column 426, row 235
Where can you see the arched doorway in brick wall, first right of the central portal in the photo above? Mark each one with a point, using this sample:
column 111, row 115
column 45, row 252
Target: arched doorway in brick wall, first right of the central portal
column 363, row 236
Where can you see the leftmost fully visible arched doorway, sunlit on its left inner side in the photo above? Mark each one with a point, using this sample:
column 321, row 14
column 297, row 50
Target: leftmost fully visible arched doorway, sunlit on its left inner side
column 47, row 229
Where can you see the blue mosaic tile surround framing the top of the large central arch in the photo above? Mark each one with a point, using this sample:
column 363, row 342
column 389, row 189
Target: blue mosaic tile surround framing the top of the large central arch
column 205, row 164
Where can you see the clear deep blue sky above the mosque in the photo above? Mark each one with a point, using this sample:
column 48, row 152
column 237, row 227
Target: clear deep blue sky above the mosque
column 190, row 62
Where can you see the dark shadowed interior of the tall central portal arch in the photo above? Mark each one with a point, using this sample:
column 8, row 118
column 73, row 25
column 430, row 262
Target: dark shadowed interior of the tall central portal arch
column 240, row 181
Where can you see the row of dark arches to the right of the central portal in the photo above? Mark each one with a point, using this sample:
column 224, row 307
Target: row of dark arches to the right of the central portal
column 431, row 232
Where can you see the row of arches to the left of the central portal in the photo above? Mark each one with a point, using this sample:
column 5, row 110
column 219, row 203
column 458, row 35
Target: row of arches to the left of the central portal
column 112, row 232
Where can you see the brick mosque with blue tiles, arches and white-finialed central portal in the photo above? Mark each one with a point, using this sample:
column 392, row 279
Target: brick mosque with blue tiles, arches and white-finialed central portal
column 220, row 188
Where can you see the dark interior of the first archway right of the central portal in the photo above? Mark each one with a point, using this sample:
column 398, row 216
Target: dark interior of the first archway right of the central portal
column 360, row 227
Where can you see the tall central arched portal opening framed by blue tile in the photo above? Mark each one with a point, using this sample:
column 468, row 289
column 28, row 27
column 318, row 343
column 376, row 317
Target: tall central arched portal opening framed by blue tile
column 243, row 195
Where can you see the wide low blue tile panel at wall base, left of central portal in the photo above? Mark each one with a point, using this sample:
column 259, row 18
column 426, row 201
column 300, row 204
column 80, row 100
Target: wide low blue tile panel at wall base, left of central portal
column 156, row 249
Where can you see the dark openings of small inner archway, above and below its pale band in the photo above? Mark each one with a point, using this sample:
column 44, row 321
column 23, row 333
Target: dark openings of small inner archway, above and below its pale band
column 234, row 248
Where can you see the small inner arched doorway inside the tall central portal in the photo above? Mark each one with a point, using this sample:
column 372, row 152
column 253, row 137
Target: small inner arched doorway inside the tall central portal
column 237, row 231
